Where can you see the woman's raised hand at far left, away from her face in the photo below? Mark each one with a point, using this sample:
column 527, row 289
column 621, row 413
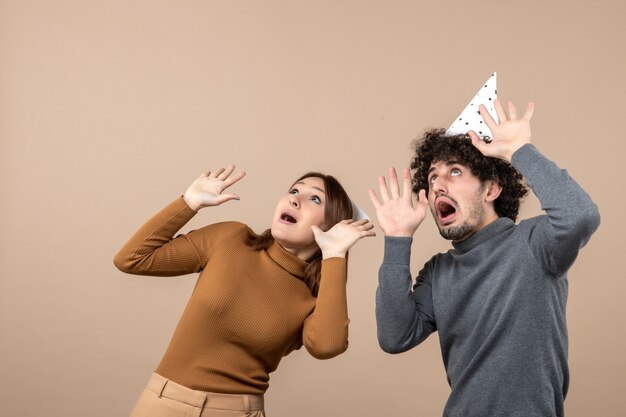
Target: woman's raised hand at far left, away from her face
column 208, row 189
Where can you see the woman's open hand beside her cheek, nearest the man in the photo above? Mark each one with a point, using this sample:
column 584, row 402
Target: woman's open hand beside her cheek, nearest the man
column 336, row 241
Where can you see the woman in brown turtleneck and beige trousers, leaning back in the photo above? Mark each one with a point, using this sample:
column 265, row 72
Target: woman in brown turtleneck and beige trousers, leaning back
column 258, row 297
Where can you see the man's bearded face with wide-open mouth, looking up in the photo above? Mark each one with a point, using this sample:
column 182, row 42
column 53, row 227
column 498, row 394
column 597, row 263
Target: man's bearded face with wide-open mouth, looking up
column 457, row 200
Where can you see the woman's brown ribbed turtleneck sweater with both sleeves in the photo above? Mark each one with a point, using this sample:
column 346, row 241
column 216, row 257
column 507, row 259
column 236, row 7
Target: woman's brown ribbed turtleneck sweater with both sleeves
column 248, row 309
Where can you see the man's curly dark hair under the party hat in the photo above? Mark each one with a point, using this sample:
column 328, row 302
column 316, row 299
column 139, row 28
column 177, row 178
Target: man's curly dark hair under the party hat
column 435, row 146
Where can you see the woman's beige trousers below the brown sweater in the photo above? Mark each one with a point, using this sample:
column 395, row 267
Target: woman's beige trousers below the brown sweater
column 165, row 398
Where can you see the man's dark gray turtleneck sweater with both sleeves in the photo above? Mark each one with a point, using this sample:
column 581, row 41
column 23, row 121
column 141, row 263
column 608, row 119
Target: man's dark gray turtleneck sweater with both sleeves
column 497, row 300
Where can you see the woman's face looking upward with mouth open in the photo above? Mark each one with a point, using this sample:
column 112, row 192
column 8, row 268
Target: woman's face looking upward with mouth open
column 302, row 207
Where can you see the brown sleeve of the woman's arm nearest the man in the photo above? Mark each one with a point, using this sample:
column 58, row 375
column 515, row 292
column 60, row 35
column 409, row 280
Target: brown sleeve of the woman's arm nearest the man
column 325, row 330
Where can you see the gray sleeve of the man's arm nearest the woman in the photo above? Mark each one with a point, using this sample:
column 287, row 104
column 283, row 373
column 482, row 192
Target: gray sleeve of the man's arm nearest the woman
column 404, row 315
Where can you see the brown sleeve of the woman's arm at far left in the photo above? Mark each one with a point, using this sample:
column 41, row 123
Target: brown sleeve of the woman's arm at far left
column 153, row 250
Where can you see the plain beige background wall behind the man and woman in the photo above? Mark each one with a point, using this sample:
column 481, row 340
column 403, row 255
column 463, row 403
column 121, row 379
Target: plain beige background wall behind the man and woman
column 108, row 109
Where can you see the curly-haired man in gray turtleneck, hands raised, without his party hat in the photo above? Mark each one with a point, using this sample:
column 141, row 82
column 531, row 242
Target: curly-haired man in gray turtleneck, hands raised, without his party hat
column 498, row 297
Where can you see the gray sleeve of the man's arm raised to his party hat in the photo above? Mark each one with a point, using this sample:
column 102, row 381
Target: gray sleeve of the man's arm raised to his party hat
column 571, row 217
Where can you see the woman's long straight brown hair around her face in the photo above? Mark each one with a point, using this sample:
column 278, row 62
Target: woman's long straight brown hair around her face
column 338, row 207
